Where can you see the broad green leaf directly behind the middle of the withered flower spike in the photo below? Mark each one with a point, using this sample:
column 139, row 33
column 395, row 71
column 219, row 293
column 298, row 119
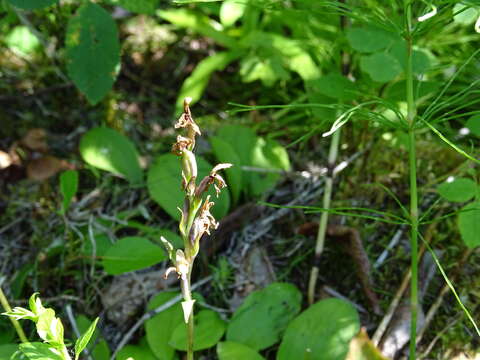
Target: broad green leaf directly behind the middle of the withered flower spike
column 164, row 185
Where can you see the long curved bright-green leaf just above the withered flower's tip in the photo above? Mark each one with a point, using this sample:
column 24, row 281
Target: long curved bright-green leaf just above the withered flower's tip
column 195, row 84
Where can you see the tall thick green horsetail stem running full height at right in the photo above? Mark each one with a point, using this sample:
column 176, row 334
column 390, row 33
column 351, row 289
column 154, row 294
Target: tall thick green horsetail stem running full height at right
column 412, row 160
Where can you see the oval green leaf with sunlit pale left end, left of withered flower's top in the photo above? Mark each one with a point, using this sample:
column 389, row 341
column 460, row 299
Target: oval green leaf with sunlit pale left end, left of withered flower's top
column 111, row 151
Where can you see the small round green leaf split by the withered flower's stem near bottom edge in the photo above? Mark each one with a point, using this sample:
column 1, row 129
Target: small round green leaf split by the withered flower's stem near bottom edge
column 209, row 329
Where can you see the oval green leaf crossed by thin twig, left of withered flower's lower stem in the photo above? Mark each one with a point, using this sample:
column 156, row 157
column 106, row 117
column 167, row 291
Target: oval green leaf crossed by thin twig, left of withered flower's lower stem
column 160, row 327
